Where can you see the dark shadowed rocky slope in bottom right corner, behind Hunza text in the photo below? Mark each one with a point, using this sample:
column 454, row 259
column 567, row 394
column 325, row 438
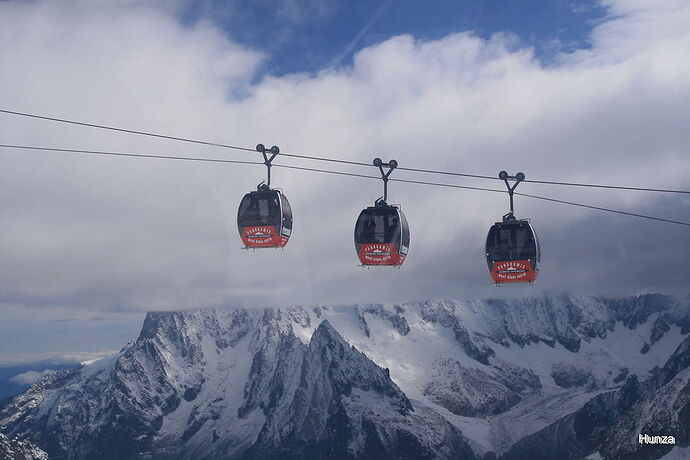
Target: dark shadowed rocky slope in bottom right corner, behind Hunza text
column 611, row 422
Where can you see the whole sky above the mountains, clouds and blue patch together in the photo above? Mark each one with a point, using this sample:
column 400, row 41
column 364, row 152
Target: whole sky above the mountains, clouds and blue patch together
column 596, row 92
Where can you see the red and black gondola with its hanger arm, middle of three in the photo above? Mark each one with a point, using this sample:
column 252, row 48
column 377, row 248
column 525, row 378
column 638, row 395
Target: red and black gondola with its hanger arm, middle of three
column 382, row 235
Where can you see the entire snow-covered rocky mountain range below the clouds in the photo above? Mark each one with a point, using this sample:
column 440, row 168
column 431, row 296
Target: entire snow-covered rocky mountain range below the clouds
column 435, row 379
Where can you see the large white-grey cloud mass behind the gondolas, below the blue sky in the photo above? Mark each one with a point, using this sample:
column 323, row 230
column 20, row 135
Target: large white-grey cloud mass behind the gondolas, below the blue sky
column 106, row 233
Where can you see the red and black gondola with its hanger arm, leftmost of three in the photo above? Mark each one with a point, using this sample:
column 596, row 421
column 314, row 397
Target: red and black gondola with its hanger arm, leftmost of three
column 264, row 217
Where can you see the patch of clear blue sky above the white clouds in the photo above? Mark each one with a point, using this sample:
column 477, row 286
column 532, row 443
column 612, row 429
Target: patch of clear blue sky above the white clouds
column 310, row 35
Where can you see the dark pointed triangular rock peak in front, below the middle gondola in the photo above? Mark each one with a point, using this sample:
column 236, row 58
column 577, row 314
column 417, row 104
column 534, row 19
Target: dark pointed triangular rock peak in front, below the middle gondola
column 347, row 407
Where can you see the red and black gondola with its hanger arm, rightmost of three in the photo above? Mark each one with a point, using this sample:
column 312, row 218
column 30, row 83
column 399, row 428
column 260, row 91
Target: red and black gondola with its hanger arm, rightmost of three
column 512, row 246
